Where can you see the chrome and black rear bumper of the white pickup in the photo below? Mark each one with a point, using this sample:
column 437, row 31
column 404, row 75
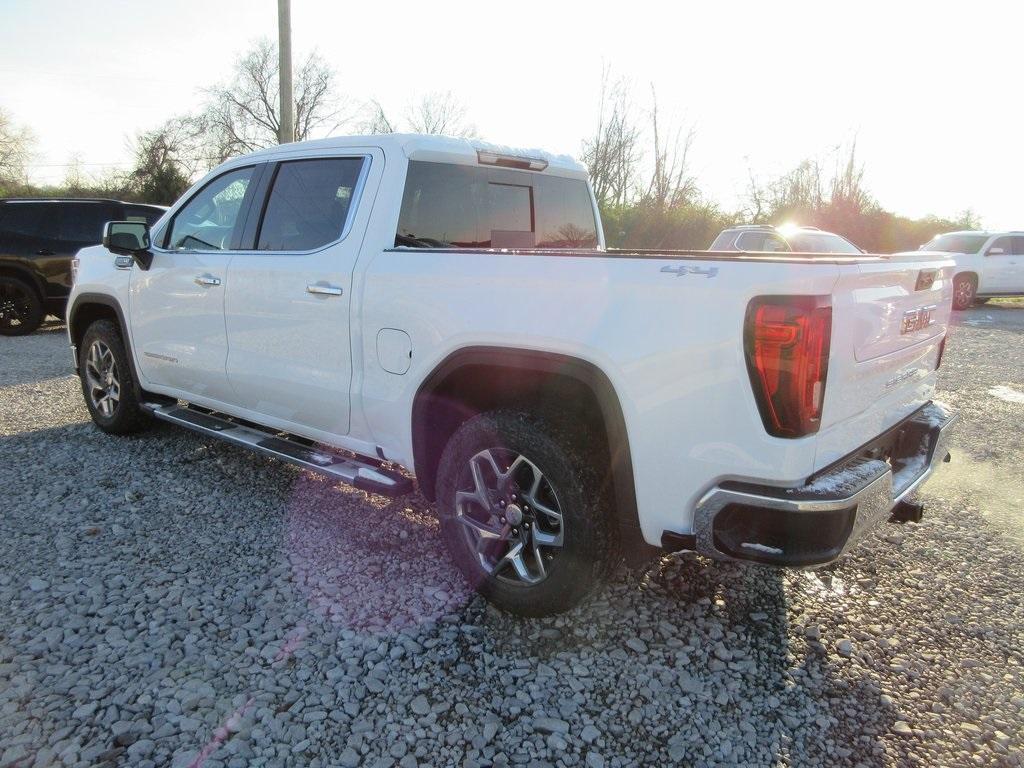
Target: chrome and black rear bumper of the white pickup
column 816, row 524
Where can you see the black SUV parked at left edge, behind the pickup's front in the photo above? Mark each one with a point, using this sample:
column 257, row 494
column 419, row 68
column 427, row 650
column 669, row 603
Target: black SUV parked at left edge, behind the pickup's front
column 38, row 240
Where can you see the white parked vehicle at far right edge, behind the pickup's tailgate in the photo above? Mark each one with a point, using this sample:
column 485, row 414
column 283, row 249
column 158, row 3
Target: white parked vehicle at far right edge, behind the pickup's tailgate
column 989, row 265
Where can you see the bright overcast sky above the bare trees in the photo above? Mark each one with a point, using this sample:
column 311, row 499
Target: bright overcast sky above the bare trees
column 929, row 91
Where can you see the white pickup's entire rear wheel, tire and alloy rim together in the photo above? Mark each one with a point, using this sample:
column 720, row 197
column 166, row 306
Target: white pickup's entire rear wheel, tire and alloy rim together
column 525, row 514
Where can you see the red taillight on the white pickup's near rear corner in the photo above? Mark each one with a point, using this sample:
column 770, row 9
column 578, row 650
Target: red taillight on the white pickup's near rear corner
column 787, row 339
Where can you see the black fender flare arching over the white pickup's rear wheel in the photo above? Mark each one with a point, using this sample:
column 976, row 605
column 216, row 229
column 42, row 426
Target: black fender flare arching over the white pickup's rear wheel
column 581, row 371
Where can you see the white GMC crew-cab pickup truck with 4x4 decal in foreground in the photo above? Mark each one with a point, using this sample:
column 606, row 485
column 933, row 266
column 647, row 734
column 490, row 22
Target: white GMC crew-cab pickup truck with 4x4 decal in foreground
column 376, row 308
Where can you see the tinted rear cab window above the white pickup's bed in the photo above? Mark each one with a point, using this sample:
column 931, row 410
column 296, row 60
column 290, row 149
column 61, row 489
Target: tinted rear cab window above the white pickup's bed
column 455, row 206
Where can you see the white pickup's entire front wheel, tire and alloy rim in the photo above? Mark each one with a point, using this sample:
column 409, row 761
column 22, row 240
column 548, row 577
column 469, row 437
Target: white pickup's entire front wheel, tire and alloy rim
column 107, row 381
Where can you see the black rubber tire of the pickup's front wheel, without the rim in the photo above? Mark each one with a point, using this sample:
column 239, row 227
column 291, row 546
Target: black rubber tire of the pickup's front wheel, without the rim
column 129, row 416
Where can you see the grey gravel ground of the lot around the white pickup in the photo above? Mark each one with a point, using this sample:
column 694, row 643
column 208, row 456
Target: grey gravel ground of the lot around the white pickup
column 172, row 602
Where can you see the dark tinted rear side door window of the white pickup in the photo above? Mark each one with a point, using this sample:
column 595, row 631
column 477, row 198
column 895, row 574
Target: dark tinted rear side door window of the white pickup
column 310, row 204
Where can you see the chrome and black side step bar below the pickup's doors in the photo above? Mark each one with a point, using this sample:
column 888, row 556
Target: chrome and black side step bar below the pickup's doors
column 366, row 475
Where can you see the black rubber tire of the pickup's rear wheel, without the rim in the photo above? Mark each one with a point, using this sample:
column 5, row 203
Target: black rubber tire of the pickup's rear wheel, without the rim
column 591, row 549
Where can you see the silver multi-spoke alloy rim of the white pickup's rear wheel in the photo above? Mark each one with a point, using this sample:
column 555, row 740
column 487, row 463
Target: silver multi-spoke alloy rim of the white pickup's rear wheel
column 510, row 517
